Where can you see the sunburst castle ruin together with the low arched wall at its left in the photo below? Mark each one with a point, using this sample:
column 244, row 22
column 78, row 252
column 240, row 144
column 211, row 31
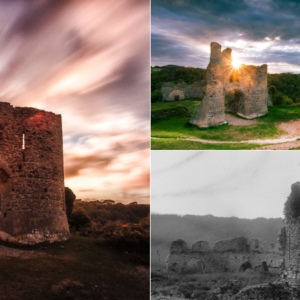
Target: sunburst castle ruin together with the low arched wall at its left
column 245, row 89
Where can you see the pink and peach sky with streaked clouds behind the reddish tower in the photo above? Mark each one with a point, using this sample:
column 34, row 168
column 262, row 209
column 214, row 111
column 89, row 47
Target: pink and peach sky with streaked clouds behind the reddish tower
column 88, row 61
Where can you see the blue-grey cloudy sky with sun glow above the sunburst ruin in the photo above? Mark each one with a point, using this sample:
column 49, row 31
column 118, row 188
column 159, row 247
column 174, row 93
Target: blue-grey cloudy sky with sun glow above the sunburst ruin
column 258, row 31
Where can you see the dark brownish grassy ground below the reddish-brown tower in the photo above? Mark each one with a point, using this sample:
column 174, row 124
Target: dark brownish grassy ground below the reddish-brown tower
column 76, row 269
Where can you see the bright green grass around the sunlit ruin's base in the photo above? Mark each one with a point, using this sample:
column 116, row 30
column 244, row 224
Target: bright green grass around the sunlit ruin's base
column 178, row 127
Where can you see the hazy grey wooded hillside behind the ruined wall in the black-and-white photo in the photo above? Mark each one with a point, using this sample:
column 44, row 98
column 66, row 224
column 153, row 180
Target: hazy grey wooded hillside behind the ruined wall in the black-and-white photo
column 167, row 228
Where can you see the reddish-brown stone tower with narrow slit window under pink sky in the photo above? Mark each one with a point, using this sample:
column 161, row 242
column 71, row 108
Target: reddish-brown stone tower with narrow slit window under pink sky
column 32, row 196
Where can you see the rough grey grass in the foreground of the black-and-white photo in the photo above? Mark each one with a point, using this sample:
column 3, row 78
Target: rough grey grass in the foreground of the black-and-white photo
column 202, row 286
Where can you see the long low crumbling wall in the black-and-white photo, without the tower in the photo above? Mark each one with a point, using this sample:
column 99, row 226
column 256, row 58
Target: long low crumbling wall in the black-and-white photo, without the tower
column 226, row 256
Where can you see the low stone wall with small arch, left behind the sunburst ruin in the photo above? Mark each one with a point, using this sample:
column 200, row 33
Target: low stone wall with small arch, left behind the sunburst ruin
column 174, row 92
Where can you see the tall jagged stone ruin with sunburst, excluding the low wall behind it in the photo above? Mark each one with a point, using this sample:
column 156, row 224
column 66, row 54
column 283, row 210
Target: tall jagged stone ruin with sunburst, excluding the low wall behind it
column 245, row 88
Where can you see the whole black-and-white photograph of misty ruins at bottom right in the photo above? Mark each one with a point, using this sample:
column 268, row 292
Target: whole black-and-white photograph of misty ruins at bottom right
column 225, row 225
